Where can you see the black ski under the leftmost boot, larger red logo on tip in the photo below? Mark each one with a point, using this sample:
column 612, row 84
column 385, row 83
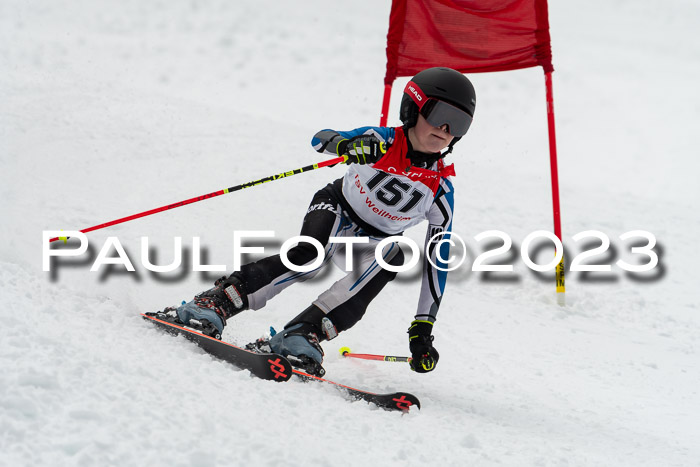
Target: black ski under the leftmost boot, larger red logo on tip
column 268, row 366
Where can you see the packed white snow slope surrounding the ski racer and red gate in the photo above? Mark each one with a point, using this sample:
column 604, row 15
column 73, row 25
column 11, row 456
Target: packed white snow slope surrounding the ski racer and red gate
column 113, row 108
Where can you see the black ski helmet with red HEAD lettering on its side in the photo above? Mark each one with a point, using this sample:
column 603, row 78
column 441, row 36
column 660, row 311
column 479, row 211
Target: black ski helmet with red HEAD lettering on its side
column 440, row 83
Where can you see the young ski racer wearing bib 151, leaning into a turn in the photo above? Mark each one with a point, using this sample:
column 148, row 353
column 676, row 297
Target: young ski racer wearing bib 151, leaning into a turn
column 396, row 178
